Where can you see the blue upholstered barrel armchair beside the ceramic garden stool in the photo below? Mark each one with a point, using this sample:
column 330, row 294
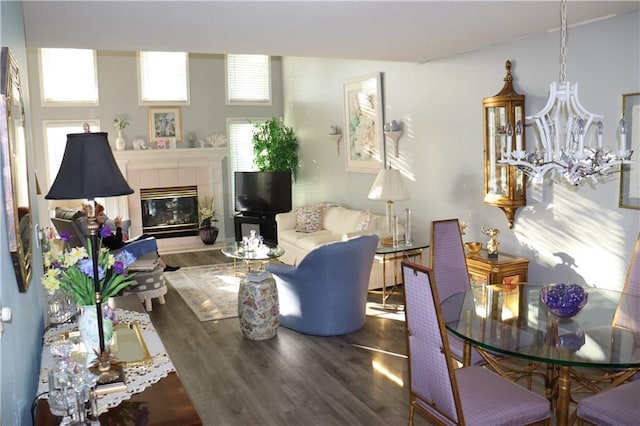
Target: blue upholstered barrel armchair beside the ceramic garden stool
column 326, row 294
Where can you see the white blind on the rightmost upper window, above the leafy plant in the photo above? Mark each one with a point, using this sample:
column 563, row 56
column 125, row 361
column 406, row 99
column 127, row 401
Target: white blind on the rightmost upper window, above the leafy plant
column 248, row 79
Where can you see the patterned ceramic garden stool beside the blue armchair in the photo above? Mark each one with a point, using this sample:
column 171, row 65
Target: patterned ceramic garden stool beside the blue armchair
column 258, row 307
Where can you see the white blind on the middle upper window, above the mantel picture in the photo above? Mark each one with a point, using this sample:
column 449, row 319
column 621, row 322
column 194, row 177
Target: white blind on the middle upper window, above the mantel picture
column 163, row 77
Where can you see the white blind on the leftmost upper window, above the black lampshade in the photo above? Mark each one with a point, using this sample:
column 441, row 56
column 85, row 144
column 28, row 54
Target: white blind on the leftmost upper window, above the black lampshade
column 68, row 76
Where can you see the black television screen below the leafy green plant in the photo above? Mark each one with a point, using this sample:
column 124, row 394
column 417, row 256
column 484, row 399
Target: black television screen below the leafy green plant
column 260, row 193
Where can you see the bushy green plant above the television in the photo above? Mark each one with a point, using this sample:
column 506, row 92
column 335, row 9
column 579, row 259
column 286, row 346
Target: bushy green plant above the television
column 275, row 147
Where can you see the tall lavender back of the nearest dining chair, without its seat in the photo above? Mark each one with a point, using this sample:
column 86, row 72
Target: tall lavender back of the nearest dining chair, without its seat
column 433, row 387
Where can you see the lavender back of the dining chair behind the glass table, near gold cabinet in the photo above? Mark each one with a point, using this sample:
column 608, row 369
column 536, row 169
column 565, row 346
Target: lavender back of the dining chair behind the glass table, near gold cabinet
column 447, row 258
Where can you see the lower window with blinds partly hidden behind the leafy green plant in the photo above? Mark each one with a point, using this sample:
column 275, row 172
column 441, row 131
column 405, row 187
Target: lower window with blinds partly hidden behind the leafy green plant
column 239, row 135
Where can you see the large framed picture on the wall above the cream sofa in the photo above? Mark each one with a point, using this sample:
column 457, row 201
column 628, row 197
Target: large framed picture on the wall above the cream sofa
column 364, row 138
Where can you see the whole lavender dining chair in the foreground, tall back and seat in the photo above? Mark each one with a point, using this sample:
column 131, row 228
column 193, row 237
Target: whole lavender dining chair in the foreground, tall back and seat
column 469, row 395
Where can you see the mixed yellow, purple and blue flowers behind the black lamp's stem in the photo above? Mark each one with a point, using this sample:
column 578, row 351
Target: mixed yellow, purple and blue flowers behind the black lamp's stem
column 72, row 271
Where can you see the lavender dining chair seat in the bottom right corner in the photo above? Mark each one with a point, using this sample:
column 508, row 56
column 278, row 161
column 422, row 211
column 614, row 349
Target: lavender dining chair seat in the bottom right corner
column 616, row 406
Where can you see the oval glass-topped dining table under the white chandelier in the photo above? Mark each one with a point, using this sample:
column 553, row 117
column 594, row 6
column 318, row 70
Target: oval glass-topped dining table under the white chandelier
column 510, row 319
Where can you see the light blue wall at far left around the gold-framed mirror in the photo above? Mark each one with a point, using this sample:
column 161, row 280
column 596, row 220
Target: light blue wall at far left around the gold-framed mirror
column 21, row 342
